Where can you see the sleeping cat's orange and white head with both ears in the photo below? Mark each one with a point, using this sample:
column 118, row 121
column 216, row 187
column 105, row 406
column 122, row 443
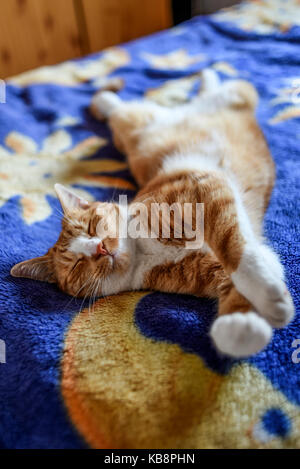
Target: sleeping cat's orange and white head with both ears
column 90, row 257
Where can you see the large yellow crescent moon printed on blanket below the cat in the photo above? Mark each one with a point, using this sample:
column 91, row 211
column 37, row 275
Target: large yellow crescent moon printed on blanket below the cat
column 124, row 390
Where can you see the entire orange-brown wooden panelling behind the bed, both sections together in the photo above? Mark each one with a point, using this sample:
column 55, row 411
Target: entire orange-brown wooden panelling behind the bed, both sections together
column 44, row 32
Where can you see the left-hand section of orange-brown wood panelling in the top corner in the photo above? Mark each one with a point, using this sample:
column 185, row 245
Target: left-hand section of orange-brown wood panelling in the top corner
column 36, row 32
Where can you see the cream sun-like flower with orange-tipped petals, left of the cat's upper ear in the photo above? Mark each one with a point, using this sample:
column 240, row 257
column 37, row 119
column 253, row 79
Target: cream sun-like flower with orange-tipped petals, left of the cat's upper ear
column 31, row 172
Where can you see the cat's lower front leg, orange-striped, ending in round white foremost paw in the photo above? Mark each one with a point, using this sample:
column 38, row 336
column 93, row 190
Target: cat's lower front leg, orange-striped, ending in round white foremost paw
column 237, row 331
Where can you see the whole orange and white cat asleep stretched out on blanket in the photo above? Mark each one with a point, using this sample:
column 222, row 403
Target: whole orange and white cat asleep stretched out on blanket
column 211, row 151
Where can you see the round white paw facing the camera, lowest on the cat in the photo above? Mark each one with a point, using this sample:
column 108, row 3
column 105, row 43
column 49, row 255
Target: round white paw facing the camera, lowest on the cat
column 240, row 334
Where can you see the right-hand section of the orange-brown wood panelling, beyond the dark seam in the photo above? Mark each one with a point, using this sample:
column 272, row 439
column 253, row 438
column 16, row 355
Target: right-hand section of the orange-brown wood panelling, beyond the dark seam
column 115, row 21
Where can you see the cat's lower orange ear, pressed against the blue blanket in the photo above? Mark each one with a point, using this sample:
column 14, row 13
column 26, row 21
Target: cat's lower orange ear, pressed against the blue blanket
column 39, row 268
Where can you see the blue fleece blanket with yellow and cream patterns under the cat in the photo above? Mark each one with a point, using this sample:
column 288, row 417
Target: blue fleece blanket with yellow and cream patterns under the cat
column 138, row 370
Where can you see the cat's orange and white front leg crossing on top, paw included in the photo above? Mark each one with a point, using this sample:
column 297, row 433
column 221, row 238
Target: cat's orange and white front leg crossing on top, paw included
column 254, row 269
